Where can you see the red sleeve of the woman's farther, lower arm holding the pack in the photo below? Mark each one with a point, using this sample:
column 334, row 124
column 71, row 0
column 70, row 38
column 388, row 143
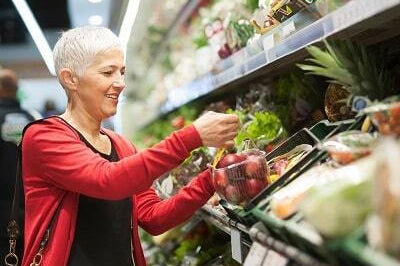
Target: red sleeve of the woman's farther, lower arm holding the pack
column 157, row 216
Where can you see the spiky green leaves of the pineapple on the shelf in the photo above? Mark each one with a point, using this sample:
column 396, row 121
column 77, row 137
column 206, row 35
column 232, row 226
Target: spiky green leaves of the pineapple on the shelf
column 361, row 72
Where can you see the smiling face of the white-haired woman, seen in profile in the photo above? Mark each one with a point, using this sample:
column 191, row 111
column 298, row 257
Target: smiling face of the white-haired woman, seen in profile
column 102, row 83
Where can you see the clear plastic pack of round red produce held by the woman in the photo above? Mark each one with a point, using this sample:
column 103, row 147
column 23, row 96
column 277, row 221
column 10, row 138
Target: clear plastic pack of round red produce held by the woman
column 239, row 177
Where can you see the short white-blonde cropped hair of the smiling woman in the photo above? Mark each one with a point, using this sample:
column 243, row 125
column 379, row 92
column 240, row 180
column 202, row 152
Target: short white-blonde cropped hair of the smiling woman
column 77, row 47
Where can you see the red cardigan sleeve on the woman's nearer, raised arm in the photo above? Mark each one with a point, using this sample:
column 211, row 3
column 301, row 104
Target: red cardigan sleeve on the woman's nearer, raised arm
column 55, row 154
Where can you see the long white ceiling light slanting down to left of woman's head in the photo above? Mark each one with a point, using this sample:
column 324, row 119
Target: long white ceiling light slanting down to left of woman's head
column 36, row 33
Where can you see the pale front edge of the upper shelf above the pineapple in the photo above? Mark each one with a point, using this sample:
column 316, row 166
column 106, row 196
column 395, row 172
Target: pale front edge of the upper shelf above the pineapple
column 358, row 19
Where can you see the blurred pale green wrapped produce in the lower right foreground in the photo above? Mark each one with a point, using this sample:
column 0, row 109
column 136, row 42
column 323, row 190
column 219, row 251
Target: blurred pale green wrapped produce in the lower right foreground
column 340, row 205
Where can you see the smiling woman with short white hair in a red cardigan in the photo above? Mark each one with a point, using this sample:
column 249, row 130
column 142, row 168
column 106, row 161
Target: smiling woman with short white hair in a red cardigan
column 91, row 180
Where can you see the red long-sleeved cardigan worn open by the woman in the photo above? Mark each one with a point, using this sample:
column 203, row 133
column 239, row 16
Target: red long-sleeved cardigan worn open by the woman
column 56, row 164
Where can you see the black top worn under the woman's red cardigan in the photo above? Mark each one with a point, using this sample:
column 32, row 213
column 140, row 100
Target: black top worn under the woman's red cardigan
column 103, row 228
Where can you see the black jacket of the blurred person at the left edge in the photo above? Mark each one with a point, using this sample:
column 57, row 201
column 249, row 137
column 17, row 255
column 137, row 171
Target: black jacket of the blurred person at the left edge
column 12, row 121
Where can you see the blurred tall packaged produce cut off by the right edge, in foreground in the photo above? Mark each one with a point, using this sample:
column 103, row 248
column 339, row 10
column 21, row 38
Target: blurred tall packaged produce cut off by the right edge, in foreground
column 383, row 228
